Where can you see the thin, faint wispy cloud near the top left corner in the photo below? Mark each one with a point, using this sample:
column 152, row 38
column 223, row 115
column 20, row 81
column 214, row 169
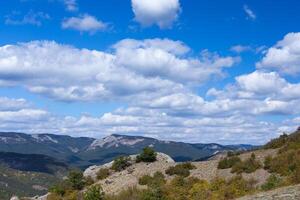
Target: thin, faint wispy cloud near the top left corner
column 32, row 18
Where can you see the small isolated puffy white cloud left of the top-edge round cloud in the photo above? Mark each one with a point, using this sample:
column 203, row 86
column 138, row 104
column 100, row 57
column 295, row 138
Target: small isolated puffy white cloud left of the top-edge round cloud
column 84, row 23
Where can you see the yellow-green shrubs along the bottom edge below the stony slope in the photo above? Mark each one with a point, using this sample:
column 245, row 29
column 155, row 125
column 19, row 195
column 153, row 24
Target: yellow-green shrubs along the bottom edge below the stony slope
column 190, row 189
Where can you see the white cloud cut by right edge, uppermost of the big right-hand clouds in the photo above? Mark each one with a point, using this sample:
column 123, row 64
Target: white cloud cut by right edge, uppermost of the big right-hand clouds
column 284, row 56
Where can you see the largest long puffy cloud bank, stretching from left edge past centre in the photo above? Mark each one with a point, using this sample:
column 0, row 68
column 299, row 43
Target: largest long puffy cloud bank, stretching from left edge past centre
column 71, row 74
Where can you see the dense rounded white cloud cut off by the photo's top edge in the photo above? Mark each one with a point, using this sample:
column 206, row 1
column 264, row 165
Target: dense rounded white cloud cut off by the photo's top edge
column 162, row 13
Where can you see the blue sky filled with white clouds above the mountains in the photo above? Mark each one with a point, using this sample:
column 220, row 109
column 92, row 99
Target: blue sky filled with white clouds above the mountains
column 184, row 70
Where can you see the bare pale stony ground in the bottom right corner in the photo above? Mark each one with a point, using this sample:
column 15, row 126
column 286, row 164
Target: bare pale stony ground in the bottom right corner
column 285, row 193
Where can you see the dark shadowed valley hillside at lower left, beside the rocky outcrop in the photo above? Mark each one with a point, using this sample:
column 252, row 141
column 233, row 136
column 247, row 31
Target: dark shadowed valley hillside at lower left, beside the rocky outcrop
column 28, row 174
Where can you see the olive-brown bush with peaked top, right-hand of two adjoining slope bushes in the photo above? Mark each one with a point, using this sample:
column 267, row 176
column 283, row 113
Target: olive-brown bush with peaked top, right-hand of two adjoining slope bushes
column 248, row 166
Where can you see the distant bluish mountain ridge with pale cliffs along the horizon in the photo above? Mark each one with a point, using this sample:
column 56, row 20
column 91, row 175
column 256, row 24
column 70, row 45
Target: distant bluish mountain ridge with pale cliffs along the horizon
column 83, row 152
